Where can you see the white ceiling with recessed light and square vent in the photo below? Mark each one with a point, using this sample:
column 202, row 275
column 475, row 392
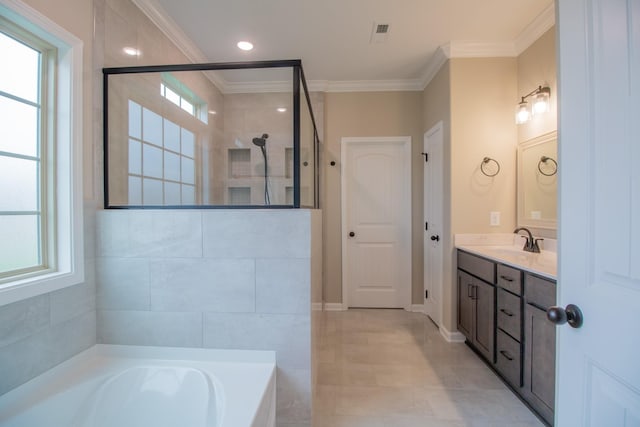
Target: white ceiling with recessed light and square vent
column 332, row 37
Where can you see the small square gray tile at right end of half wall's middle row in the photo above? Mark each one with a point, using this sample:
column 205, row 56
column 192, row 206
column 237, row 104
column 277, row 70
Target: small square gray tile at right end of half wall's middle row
column 283, row 286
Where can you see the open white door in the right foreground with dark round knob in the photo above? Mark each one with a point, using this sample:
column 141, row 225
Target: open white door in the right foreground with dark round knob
column 598, row 375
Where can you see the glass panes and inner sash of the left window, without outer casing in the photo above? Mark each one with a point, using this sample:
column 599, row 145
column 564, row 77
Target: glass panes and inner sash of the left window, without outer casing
column 23, row 154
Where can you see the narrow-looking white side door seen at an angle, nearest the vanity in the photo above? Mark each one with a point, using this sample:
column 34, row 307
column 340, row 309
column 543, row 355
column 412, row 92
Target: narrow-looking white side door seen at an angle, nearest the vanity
column 433, row 203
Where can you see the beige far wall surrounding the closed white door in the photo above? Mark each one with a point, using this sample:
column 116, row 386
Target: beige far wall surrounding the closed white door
column 367, row 114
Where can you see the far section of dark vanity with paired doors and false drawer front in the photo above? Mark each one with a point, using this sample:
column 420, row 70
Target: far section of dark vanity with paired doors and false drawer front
column 476, row 302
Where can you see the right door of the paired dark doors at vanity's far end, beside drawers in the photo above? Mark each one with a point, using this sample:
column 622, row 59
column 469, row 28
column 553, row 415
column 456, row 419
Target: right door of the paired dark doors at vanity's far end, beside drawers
column 484, row 317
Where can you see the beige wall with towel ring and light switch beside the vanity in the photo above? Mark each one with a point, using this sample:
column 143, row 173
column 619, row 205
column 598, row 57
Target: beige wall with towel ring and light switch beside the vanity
column 474, row 100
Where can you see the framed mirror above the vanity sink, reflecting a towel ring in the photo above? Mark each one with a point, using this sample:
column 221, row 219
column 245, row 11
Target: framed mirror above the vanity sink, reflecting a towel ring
column 537, row 182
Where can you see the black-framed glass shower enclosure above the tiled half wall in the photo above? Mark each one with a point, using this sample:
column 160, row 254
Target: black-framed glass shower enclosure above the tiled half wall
column 210, row 135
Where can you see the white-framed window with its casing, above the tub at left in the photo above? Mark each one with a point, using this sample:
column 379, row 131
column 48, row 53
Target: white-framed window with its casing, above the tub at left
column 41, row 241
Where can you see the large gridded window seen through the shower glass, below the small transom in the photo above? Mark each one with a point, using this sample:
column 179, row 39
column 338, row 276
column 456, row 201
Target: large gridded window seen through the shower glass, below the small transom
column 161, row 160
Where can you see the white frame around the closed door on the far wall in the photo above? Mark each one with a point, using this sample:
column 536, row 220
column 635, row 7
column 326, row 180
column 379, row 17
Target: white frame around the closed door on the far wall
column 405, row 142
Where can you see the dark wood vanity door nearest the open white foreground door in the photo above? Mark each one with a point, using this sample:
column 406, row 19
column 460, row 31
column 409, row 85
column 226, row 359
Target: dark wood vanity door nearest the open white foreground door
column 539, row 361
